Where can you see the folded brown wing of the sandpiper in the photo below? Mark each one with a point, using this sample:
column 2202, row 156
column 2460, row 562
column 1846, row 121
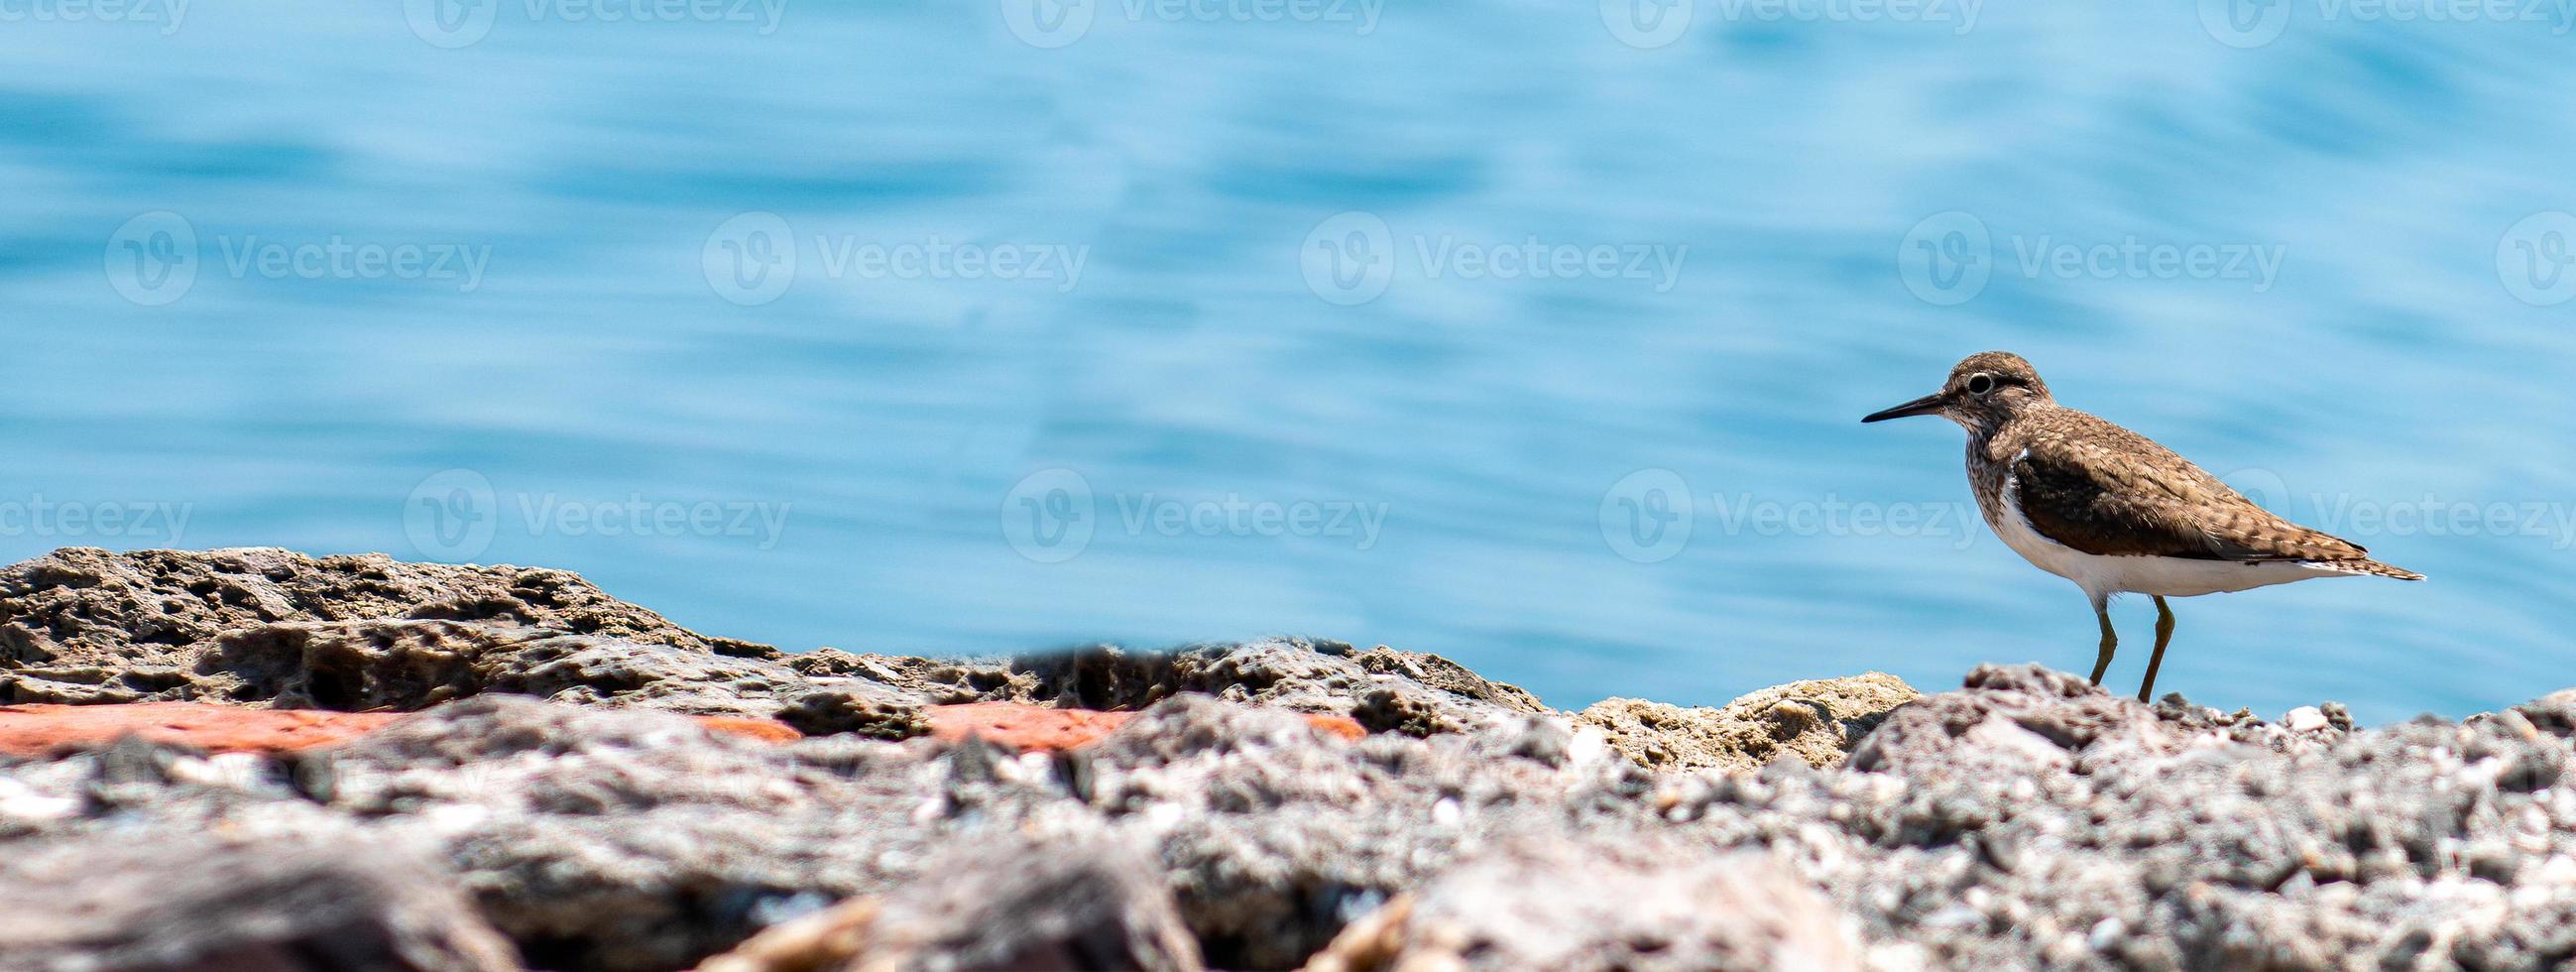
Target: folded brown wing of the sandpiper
column 2108, row 491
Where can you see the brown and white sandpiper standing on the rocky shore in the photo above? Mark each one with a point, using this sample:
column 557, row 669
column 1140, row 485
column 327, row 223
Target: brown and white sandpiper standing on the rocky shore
column 2114, row 512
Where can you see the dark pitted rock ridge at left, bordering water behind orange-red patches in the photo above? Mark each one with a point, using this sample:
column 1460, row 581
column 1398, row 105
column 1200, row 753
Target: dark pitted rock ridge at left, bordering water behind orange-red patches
column 370, row 633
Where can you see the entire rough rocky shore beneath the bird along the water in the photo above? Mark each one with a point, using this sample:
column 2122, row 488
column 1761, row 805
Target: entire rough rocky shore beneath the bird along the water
column 254, row 759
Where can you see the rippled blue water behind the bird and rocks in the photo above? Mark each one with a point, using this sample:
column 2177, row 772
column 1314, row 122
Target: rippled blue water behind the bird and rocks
column 1586, row 295
